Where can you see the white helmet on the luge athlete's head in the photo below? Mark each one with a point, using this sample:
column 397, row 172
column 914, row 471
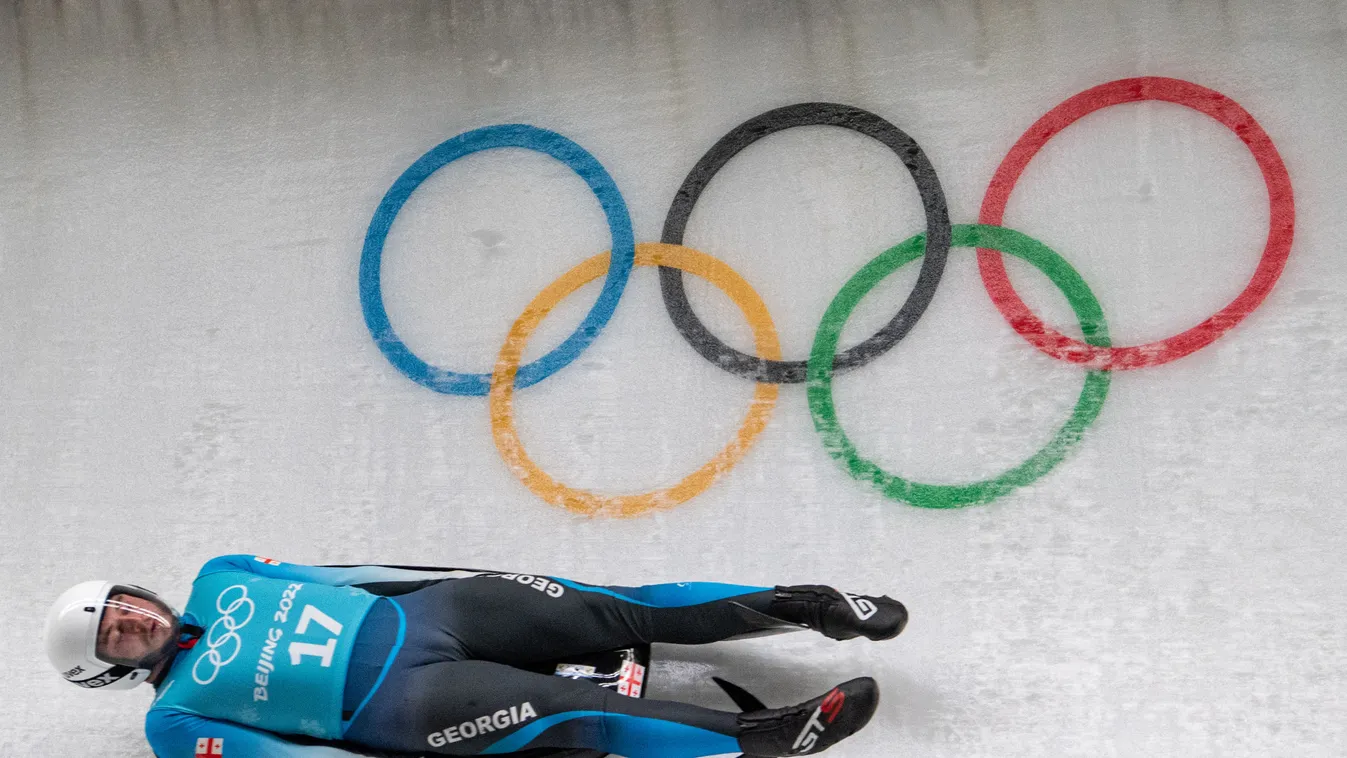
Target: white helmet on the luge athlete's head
column 86, row 659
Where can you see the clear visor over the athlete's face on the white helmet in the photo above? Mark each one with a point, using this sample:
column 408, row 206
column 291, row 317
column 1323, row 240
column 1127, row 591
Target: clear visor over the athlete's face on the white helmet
column 135, row 628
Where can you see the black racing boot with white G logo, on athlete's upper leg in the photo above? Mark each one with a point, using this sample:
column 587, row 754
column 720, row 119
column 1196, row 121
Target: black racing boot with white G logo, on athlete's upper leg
column 840, row 616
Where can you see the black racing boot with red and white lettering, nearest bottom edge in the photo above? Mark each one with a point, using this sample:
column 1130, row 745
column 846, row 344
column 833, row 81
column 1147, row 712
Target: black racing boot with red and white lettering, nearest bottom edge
column 810, row 728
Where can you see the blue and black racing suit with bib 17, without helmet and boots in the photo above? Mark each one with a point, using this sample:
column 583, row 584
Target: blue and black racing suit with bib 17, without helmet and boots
column 300, row 662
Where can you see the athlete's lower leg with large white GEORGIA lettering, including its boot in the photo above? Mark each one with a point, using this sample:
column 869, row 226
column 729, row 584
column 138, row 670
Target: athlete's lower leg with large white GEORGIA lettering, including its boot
column 476, row 708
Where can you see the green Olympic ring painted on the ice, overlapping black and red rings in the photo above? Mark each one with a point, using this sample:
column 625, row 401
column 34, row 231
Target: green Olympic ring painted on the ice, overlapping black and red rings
column 820, row 374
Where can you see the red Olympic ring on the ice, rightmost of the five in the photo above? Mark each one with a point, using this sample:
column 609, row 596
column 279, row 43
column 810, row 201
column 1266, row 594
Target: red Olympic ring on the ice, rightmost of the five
column 1280, row 230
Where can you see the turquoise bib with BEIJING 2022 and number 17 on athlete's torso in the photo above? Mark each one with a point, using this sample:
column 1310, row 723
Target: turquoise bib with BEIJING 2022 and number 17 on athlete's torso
column 274, row 655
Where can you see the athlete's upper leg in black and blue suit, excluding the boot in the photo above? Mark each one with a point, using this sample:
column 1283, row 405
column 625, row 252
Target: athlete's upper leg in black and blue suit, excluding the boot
column 521, row 620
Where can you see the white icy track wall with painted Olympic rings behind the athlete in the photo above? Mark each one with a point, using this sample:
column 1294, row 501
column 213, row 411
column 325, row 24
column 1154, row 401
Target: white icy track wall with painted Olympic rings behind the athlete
column 267, row 273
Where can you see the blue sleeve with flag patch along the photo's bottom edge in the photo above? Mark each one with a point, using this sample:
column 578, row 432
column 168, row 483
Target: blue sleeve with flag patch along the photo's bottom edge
column 178, row 734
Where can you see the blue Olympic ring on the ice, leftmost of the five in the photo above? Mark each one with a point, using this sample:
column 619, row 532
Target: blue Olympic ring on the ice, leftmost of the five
column 488, row 138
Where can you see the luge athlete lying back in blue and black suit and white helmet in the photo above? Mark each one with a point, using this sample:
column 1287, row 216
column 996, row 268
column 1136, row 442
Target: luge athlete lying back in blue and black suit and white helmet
column 278, row 660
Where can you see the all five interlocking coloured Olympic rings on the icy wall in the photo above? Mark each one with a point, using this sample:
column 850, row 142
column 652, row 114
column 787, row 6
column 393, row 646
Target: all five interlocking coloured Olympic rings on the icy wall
column 766, row 368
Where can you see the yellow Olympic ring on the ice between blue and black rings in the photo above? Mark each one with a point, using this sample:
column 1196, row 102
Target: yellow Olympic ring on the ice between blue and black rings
column 507, row 366
